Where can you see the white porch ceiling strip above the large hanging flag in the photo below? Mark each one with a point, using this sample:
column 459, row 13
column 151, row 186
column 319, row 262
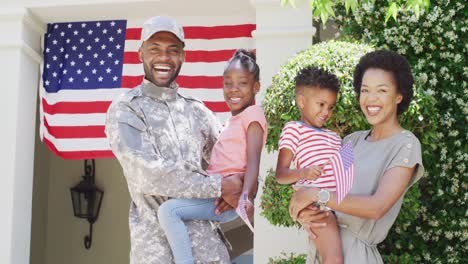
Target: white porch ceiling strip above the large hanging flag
column 68, row 10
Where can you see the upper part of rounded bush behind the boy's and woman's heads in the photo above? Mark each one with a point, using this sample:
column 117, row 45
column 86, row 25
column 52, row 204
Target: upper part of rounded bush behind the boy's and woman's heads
column 335, row 56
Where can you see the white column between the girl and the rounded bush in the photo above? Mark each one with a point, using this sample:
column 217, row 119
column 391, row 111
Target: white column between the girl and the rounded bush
column 281, row 32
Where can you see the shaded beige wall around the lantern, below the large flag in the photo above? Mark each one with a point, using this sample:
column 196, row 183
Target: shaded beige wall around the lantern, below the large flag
column 57, row 236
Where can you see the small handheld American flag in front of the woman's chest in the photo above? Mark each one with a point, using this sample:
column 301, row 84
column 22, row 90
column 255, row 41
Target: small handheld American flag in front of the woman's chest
column 343, row 166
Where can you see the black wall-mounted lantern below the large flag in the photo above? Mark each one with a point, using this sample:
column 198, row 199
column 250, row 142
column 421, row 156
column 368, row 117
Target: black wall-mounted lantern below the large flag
column 86, row 199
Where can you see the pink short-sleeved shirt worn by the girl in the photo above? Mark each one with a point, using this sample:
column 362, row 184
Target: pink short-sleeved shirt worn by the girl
column 229, row 154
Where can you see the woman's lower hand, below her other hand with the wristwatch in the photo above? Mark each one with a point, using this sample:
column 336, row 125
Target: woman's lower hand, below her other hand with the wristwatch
column 311, row 217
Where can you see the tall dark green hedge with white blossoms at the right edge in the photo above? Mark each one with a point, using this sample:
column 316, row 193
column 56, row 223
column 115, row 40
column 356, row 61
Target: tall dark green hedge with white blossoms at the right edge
column 436, row 46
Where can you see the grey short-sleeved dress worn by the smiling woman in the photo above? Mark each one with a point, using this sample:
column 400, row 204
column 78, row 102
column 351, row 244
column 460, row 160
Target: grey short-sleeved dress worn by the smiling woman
column 360, row 236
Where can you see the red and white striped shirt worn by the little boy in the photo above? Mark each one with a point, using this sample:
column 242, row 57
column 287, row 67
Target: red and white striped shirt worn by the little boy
column 311, row 147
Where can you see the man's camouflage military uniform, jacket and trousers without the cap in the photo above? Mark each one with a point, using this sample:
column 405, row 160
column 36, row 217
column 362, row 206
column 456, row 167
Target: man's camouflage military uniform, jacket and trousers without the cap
column 162, row 141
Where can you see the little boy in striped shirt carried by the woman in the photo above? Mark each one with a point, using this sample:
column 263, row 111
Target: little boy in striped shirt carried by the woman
column 310, row 146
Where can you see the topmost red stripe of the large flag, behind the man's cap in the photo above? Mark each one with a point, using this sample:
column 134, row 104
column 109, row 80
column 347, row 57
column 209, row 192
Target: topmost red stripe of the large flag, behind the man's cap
column 199, row 32
